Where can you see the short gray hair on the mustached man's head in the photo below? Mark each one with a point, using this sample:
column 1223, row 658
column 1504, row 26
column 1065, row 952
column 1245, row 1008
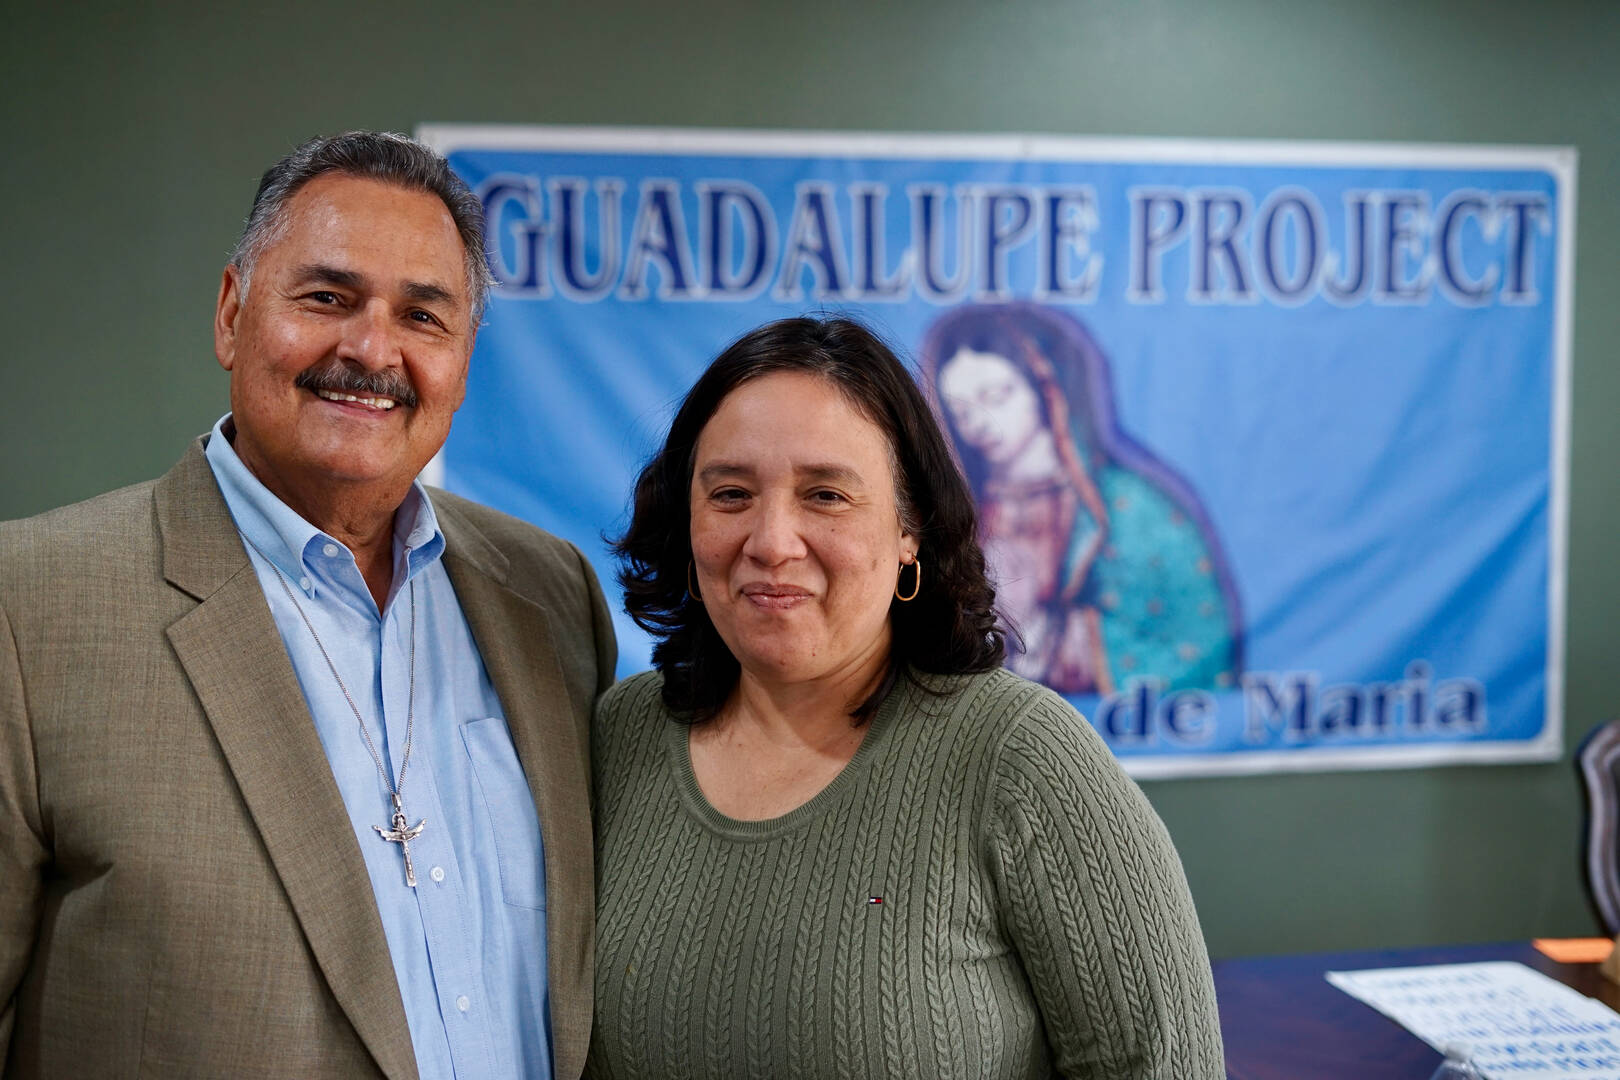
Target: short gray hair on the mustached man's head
column 373, row 156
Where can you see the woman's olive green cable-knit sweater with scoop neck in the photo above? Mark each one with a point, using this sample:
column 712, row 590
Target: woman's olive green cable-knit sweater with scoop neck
column 981, row 893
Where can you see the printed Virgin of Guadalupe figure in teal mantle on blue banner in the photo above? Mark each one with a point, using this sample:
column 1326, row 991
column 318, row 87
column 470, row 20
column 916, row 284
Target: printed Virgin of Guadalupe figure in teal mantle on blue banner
column 1104, row 558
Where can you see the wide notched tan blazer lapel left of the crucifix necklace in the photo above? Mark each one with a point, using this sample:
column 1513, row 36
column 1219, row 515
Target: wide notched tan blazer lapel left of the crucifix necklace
column 239, row 668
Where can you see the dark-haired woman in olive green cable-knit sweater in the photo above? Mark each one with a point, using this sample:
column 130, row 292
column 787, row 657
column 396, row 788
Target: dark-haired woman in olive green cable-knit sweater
column 835, row 840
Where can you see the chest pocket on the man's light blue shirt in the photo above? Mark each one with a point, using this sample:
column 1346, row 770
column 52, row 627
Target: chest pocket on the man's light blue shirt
column 514, row 823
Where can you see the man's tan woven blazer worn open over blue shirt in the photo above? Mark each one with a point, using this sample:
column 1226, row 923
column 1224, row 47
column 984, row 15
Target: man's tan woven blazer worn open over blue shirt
column 181, row 887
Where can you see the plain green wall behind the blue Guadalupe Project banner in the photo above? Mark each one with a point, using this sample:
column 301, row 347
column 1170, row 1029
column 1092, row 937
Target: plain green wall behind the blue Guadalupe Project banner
column 134, row 142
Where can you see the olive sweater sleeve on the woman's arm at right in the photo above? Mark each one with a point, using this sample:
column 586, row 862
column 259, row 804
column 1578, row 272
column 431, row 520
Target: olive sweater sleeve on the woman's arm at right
column 1096, row 903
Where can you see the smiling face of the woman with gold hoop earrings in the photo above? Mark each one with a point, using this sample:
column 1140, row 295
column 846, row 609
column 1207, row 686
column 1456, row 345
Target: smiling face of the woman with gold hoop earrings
column 796, row 534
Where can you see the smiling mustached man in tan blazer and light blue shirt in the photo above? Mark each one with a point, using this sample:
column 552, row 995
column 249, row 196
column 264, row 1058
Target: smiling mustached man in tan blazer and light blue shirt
column 292, row 757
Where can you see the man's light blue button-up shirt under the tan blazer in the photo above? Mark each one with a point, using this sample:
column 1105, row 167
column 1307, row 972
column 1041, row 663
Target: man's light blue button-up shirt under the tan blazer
column 469, row 943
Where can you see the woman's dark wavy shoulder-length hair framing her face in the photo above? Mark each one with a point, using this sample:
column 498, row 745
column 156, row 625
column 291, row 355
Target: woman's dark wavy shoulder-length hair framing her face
column 952, row 626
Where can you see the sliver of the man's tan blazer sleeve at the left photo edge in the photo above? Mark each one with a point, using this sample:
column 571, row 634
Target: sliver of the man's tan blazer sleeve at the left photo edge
column 23, row 848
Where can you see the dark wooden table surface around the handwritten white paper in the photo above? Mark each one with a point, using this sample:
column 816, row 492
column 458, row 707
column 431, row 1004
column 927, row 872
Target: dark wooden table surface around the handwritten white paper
column 1284, row 1021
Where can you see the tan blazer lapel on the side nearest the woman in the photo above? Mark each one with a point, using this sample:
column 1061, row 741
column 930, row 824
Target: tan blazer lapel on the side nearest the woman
column 516, row 640
